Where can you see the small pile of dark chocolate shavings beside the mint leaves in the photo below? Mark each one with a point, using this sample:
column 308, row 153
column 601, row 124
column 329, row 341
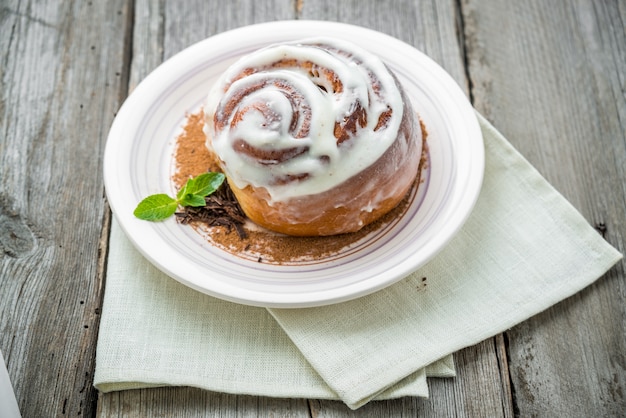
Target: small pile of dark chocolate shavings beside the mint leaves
column 221, row 209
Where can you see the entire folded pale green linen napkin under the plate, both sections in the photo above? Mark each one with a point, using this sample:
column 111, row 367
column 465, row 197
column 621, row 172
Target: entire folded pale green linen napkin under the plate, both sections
column 523, row 249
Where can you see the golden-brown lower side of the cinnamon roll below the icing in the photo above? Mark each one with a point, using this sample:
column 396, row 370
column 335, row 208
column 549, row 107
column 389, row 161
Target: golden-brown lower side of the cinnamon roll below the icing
column 346, row 207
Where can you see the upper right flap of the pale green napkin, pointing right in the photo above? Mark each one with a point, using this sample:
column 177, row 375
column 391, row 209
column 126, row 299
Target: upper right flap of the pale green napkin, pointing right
column 523, row 249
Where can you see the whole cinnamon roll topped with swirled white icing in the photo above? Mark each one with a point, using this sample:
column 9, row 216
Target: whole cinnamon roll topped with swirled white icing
column 316, row 137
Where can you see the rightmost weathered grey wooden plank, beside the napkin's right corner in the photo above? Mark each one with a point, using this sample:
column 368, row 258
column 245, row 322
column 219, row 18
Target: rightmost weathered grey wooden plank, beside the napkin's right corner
column 552, row 80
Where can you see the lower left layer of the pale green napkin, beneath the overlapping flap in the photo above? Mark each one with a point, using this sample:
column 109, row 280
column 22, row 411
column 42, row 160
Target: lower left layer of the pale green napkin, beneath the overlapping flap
column 155, row 331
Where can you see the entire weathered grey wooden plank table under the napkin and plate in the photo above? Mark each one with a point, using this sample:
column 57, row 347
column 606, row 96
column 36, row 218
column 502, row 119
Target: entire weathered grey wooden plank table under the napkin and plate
column 550, row 76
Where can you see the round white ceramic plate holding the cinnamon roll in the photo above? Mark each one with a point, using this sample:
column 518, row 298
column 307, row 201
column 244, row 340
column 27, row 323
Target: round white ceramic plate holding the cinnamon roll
column 138, row 160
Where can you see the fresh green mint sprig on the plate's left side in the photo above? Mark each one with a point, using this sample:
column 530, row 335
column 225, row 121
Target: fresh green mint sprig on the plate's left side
column 160, row 206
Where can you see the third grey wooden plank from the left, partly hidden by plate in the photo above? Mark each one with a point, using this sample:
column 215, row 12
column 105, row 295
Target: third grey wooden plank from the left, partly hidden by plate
column 432, row 28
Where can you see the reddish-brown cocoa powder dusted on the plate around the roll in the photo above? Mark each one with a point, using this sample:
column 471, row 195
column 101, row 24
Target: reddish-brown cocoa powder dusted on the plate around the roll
column 247, row 240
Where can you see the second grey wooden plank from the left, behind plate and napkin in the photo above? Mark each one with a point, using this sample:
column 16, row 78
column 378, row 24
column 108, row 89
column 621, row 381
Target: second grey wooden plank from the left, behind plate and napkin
column 161, row 29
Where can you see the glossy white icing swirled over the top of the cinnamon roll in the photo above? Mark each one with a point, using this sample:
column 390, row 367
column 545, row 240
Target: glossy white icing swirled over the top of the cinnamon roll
column 268, row 115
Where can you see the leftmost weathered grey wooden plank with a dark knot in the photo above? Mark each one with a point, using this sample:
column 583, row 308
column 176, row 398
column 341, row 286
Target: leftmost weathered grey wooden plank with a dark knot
column 62, row 68
